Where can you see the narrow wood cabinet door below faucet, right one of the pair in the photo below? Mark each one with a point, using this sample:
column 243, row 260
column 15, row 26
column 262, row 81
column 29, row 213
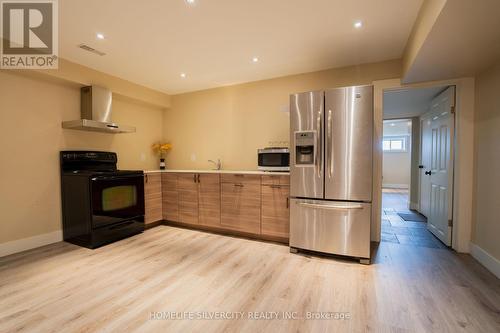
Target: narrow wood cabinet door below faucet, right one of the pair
column 209, row 193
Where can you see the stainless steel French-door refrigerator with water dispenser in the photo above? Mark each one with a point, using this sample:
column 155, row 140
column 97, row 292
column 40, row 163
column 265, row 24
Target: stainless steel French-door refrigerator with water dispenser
column 331, row 133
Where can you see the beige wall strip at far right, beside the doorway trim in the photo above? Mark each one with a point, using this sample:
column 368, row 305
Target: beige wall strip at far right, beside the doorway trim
column 486, row 229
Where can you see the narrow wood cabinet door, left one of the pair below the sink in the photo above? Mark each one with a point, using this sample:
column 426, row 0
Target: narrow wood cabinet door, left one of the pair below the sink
column 187, row 189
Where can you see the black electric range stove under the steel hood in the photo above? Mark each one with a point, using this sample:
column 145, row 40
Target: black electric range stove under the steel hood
column 100, row 204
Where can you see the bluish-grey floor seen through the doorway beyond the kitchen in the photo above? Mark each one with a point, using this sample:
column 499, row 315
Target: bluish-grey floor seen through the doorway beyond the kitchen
column 397, row 230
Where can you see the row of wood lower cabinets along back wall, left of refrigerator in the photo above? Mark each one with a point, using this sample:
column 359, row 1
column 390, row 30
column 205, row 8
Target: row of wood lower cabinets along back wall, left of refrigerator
column 249, row 203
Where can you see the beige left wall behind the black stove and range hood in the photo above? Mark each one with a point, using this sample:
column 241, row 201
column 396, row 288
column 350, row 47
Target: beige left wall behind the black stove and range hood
column 31, row 111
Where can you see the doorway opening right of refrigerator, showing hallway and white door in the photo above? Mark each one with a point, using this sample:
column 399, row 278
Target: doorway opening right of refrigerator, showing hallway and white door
column 418, row 133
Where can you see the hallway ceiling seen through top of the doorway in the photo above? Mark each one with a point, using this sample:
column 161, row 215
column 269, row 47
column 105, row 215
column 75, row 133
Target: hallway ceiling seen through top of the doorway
column 409, row 102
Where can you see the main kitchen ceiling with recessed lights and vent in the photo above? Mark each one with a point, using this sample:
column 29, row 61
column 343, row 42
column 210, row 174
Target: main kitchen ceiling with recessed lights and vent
column 213, row 41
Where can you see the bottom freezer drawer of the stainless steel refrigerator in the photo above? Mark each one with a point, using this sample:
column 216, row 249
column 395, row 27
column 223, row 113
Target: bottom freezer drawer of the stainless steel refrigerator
column 334, row 227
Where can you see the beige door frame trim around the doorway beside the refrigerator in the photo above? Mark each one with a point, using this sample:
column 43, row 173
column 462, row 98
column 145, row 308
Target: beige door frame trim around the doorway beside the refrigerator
column 463, row 157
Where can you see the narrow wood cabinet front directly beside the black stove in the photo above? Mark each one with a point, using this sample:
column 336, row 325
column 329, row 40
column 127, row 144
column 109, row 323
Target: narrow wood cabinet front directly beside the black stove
column 152, row 198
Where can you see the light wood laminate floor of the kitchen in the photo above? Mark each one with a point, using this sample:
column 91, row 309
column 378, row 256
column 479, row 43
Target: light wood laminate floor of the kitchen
column 65, row 288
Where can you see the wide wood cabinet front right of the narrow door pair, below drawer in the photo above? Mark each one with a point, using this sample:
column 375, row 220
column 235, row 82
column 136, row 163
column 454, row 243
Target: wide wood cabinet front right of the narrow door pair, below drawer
column 240, row 207
